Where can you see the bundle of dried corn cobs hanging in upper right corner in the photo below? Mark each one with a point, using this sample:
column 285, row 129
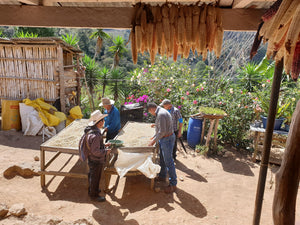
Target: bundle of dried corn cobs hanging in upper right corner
column 280, row 27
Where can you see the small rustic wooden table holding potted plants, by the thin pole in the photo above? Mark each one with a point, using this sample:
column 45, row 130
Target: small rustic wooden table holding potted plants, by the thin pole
column 279, row 138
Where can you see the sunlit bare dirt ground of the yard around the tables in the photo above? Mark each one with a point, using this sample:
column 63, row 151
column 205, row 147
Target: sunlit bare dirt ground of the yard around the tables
column 211, row 191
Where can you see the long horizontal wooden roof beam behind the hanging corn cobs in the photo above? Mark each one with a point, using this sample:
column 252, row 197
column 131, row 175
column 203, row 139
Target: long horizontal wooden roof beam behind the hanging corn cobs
column 105, row 17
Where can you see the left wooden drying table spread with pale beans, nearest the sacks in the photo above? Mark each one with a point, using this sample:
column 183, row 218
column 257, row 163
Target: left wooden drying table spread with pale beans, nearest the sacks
column 66, row 142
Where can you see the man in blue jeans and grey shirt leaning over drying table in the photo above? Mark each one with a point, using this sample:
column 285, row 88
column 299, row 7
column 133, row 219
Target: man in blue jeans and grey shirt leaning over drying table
column 165, row 136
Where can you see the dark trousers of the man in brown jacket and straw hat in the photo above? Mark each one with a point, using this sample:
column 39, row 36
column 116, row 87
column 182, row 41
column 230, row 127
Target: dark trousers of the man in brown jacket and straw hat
column 94, row 176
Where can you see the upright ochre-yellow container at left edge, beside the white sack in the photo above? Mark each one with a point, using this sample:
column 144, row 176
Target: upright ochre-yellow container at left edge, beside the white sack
column 10, row 115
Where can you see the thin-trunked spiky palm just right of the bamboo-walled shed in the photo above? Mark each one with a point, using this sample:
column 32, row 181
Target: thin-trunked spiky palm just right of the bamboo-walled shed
column 91, row 77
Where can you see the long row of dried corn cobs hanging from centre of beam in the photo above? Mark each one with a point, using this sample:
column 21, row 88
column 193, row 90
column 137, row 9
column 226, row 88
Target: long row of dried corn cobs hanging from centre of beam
column 171, row 30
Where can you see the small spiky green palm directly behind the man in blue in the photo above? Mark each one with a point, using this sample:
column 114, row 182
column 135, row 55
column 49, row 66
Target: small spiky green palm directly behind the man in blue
column 116, row 83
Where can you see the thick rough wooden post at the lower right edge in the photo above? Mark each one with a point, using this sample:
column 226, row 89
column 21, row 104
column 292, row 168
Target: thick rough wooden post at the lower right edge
column 288, row 177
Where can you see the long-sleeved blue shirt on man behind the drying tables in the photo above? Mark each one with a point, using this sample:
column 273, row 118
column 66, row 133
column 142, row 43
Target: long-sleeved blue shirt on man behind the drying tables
column 112, row 121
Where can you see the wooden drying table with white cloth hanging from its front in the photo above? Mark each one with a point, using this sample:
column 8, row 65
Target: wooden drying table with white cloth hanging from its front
column 136, row 137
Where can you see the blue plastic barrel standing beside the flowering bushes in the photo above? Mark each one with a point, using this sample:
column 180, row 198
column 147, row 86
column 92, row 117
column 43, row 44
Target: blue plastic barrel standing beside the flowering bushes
column 194, row 132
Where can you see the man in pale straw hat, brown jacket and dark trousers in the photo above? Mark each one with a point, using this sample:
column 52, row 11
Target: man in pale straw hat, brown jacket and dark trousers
column 95, row 151
